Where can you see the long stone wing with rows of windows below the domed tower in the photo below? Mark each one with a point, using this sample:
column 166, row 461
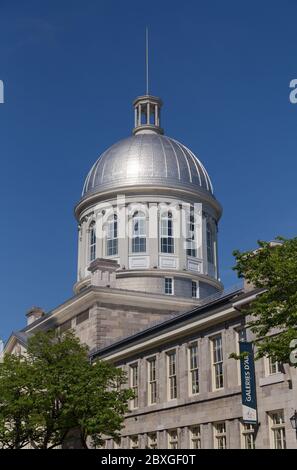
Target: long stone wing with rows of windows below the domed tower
column 193, row 399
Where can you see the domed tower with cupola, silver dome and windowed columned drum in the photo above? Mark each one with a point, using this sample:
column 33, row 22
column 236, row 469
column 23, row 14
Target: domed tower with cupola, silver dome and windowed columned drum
column 148, row 205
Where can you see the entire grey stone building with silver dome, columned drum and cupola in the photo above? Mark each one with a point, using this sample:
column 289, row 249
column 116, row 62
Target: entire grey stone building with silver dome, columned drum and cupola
column 149, row 299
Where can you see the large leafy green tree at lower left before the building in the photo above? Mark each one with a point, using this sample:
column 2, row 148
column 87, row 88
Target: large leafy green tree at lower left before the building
column 66, row 395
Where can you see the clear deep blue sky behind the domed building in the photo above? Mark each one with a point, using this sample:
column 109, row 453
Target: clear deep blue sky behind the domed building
column 71, row 70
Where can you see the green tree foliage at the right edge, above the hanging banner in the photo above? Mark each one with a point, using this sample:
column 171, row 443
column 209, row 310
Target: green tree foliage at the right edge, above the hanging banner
column 272, row 268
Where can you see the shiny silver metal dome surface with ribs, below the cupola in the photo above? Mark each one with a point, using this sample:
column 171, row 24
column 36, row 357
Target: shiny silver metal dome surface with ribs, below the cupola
column 150, row 160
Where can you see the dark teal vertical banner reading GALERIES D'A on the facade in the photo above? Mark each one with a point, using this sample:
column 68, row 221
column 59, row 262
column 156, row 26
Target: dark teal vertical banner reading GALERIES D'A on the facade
column 248, row 383
